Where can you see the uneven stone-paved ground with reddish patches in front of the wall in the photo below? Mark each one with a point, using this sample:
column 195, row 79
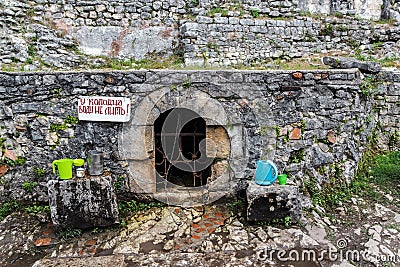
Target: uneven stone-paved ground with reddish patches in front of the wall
column 359, row 234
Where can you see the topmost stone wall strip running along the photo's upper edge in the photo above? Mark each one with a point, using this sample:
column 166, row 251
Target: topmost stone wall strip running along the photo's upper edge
column 129, row 13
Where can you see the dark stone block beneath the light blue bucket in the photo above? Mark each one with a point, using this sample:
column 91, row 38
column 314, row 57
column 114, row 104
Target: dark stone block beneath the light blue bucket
column 267, row 203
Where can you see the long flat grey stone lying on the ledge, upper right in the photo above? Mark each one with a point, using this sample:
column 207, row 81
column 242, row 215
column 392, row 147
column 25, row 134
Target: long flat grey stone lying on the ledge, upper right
column 349, row 63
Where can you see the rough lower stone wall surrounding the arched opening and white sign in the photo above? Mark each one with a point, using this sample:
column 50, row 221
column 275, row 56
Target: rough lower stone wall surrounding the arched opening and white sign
column 313, row 124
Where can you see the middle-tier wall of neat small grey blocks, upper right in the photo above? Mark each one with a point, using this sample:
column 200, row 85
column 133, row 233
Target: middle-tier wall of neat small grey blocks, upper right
column 220, row 40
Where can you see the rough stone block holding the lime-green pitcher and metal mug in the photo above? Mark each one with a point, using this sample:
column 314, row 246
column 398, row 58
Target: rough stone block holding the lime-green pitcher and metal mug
column 83, row 203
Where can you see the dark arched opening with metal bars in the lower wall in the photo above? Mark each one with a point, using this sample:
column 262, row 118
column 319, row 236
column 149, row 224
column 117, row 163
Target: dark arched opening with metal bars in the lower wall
column 193, row 131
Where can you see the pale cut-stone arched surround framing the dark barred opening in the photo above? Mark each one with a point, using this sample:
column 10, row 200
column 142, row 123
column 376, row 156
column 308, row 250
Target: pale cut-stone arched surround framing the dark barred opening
column 136, row 145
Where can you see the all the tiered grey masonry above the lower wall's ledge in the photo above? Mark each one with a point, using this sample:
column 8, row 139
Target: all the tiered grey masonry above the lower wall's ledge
column 81, row 34
